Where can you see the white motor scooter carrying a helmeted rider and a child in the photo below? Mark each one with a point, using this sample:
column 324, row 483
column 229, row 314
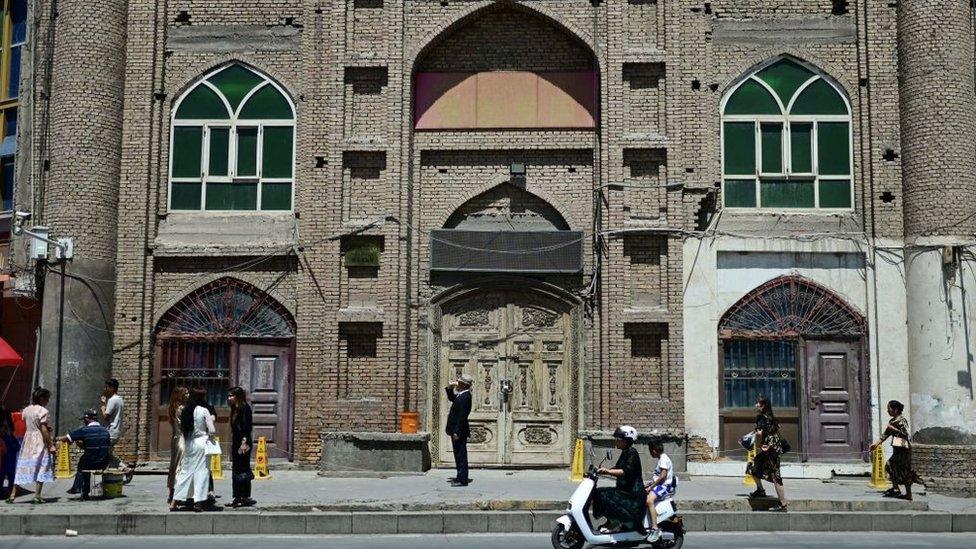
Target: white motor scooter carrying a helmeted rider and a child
column 574, row 529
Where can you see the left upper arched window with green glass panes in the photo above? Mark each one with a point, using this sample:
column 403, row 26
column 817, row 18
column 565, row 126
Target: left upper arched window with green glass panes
column 232, row 144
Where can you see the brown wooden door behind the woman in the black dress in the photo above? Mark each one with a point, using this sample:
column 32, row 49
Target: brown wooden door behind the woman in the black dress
column 264, row 371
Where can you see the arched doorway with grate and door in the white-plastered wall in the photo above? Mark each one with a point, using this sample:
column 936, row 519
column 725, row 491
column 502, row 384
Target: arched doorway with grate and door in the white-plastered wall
column 802, row 346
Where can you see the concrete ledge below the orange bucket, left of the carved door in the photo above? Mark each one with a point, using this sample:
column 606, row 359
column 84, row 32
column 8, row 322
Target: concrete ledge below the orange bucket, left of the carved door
column 372, row 453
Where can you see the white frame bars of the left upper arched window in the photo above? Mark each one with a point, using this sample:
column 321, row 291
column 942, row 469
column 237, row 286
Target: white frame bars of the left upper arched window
column 233, row 122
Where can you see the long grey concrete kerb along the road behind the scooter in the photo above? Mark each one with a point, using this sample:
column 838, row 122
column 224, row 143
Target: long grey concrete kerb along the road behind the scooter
column 39, row 523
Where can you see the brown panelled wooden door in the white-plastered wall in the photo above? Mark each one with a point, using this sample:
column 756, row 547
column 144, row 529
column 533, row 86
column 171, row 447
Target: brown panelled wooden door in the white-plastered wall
column 833, row 404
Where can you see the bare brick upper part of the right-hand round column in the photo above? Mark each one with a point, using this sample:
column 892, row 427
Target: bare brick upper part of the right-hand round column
column 938, row 116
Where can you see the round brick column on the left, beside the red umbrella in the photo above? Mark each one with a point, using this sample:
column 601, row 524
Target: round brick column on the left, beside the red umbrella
column 80, row 199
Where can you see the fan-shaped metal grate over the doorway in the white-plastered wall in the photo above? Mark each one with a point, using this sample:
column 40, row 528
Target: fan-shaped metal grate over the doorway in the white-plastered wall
column 790, row 306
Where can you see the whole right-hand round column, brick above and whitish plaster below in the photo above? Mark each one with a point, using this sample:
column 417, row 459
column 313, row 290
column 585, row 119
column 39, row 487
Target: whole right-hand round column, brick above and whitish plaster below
column 938, row 129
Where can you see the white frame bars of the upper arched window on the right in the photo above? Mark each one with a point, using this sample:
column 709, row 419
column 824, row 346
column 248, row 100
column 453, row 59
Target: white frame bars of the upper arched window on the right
column 787, row 120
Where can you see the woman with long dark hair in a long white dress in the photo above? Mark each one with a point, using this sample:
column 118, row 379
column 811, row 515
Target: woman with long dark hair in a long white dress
column 197, row 425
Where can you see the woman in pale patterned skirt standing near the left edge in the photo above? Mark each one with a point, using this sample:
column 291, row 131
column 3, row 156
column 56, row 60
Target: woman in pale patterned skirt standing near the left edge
column 34, row 463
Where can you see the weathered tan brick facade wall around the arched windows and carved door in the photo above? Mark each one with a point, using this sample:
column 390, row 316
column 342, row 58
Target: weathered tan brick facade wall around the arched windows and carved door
column 662, row 77
